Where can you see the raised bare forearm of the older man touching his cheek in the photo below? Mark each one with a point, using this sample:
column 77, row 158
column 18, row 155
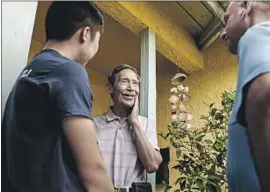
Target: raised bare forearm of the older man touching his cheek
column 149, row 157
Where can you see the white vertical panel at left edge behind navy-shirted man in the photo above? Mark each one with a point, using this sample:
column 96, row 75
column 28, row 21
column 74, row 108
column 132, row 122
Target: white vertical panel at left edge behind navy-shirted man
column 18, row 20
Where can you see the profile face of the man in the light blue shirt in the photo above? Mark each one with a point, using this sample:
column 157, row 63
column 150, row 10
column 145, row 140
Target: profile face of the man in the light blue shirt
column 235, row 27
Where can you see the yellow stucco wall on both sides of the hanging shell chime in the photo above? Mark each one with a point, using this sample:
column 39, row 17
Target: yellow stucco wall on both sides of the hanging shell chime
column 207, row 86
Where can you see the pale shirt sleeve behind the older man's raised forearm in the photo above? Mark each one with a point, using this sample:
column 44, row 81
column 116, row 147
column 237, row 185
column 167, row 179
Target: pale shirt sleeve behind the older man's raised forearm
column 151, row 133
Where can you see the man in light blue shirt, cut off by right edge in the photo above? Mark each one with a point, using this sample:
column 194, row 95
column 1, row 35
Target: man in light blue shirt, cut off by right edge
column 247, row 34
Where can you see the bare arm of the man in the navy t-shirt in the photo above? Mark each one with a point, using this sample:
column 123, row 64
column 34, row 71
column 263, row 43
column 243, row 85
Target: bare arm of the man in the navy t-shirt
column 81, row 136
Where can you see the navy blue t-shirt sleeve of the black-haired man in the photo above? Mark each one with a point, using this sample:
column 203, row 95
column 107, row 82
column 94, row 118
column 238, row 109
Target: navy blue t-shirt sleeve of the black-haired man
column 70, row 91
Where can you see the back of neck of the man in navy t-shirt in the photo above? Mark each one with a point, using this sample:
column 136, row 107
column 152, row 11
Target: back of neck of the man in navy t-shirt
column 65, row 48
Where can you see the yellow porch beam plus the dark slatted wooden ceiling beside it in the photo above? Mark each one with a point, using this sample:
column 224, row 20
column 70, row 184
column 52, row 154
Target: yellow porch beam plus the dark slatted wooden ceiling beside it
column 183, row 28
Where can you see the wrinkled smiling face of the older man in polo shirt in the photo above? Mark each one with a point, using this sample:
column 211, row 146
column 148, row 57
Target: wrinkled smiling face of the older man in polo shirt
column 126, row 88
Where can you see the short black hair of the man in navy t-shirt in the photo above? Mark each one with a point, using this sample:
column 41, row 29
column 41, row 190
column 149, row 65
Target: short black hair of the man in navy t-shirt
column 64, row 18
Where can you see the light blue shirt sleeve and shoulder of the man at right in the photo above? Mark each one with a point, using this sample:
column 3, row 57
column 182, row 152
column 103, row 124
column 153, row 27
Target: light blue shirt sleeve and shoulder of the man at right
column 254, row 61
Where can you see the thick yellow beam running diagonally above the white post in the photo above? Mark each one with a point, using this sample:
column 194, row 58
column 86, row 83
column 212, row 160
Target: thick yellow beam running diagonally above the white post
column 173, row 41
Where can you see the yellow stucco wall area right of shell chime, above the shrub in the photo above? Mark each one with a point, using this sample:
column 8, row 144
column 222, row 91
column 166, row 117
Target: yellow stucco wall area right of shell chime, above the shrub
column 220, row 74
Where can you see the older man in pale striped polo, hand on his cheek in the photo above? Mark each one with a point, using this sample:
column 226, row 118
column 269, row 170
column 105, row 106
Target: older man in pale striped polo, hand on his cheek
column 127, row 141
